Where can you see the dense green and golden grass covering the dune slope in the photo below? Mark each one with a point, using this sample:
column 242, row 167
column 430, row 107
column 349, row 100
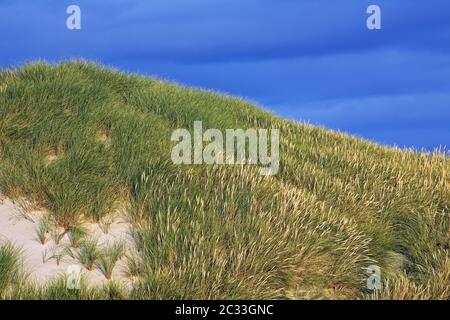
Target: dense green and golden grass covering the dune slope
column 80, row 140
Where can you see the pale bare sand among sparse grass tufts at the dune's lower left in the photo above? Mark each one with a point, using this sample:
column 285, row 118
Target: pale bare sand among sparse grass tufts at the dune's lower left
column 21, row 231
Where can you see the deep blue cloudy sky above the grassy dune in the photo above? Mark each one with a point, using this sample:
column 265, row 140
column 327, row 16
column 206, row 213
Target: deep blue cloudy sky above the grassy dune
column 310, row 60
